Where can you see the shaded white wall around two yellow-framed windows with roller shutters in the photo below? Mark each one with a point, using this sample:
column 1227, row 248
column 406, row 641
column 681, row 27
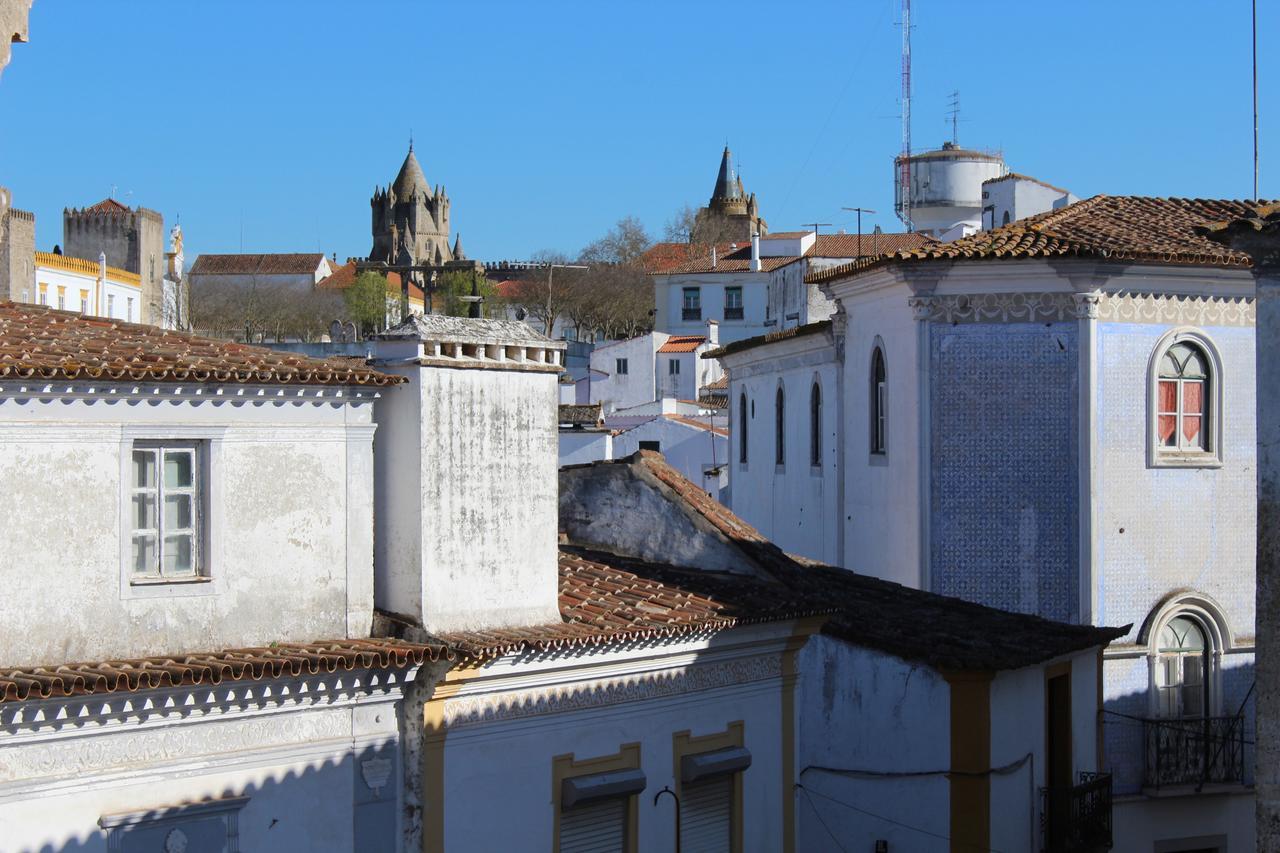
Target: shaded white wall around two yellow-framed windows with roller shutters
column 620, row 697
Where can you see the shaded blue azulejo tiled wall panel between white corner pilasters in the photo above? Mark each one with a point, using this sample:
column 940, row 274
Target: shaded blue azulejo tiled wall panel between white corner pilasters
column 1004, row 487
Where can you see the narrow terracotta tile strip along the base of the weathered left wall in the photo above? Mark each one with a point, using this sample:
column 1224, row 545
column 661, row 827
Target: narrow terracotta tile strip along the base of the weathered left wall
column 213, row 668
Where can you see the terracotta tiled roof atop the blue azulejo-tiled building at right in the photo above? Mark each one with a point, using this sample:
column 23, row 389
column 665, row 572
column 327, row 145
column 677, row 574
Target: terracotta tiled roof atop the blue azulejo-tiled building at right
column 1132, row 229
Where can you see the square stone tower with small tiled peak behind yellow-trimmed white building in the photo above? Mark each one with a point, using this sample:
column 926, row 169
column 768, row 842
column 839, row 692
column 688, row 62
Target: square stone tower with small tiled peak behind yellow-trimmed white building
column 132, row 239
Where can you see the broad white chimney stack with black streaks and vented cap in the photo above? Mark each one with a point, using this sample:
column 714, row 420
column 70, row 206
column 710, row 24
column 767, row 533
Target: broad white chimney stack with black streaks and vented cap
column 467, row 475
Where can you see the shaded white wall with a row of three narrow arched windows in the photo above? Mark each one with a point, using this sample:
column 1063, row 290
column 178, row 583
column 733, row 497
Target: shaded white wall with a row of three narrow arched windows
column 796, row 504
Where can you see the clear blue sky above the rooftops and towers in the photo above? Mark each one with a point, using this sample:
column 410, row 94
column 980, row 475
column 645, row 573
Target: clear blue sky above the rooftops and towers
column 547, row 122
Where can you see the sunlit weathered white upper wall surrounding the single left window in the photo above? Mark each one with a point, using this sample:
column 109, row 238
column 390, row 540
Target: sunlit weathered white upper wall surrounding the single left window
column 289, row 528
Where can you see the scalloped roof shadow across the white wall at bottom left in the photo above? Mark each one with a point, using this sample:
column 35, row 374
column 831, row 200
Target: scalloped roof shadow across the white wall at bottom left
column 287, row 813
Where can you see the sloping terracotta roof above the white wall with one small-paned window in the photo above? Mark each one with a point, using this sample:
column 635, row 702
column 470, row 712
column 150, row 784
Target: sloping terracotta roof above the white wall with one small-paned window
column 45, row 344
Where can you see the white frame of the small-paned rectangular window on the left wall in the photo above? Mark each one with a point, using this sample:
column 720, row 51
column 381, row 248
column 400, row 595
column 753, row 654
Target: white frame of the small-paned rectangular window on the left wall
column 208, row 555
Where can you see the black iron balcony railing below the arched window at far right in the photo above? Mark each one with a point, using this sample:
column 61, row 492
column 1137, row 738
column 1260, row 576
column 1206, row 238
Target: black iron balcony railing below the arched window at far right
column 1196, row 751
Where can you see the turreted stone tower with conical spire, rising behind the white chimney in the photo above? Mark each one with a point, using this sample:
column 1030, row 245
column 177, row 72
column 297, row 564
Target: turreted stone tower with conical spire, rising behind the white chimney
column 412, row 222
